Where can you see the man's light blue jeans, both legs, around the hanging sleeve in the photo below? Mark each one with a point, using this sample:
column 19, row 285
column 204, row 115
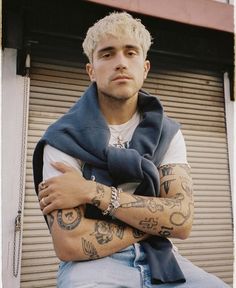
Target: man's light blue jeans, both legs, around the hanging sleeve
column 128, row 269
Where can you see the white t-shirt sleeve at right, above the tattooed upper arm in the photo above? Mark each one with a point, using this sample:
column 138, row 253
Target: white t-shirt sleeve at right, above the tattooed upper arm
column 176, row 153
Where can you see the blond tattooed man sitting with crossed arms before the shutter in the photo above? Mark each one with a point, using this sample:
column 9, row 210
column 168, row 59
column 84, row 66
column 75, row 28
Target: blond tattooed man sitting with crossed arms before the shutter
column 117, row 183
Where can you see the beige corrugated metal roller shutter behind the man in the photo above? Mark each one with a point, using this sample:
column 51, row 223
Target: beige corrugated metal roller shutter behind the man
column 195, row 99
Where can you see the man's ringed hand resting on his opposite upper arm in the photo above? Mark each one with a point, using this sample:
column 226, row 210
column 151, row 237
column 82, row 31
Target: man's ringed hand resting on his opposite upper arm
column 68, row 190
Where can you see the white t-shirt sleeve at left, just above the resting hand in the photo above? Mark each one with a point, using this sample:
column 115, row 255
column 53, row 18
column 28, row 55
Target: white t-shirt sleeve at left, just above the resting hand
column 52, row 154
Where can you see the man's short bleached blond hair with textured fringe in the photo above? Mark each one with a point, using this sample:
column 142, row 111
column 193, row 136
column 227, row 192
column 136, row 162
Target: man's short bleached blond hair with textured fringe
column 116, row 24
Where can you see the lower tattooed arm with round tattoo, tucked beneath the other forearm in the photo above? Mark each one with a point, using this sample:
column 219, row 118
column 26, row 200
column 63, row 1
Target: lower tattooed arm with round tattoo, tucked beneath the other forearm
column 77, row 238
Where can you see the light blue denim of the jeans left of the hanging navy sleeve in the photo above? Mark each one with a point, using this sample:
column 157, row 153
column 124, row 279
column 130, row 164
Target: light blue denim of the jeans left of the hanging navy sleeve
column 125, row 269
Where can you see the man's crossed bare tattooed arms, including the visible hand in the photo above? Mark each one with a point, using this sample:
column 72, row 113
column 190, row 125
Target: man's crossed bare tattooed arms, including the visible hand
column 77, row 238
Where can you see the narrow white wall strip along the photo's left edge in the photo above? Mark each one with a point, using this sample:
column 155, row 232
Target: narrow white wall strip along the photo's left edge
column 12, row 115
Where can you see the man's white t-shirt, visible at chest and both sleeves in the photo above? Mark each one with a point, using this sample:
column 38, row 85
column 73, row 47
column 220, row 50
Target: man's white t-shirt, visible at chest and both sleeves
column 120, row 137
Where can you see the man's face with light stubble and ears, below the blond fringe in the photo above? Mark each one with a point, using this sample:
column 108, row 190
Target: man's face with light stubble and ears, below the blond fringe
column 118, row 67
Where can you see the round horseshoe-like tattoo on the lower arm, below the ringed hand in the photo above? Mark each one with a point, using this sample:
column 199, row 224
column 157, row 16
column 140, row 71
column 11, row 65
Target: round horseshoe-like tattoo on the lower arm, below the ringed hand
column 69, row 219
